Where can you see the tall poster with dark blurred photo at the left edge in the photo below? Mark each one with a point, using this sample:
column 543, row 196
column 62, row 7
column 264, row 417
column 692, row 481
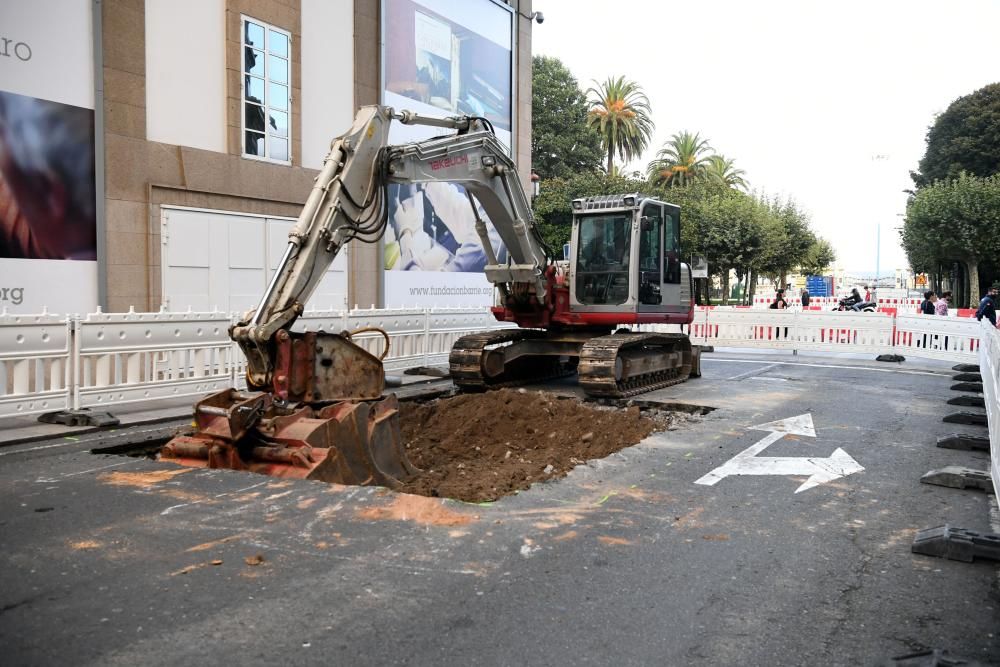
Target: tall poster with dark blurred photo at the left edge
column 48, row 228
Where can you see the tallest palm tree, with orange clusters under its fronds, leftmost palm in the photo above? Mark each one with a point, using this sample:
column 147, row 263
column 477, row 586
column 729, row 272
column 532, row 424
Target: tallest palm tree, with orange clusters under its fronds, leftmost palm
column 619, row 111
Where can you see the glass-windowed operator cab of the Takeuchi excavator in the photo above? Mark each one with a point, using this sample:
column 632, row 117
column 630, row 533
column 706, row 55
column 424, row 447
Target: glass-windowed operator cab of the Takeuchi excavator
column 627, row 257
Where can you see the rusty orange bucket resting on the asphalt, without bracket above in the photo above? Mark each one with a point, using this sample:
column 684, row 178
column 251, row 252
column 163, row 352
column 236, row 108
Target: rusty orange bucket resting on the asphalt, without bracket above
column 354, row 443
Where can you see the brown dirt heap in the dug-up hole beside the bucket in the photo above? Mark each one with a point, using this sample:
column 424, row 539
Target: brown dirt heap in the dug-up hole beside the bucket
column 479, row 447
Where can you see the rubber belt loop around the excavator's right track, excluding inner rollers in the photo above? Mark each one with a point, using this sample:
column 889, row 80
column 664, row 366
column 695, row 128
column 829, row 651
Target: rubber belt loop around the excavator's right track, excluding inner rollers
column 597, row 364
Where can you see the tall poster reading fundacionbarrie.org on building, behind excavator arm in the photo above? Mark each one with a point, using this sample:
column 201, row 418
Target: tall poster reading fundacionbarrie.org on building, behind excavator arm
column 442, row 58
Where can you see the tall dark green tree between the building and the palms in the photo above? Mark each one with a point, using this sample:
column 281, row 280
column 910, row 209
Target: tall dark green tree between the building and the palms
column 562, row 144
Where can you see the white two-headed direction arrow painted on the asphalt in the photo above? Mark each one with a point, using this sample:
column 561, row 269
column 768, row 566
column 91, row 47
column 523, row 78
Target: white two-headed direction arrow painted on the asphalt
column 820, row 470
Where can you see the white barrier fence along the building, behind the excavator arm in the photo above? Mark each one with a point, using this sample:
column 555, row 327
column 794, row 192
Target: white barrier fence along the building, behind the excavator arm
column 52, row 363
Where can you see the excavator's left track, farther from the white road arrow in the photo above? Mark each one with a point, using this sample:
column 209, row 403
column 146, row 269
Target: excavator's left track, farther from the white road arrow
column 466, row 361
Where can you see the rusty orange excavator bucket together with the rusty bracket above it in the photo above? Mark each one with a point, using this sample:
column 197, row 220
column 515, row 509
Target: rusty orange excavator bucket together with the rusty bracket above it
column 353, row 441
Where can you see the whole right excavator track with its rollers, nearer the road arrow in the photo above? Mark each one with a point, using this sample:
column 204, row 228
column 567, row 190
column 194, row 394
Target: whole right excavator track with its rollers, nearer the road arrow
column 626, row 364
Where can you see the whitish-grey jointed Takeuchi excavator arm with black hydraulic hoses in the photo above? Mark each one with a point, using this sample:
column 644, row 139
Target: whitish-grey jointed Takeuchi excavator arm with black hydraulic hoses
column 349, row 201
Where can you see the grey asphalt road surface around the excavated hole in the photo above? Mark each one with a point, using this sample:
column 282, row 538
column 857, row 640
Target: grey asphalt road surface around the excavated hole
column 627, row 561
